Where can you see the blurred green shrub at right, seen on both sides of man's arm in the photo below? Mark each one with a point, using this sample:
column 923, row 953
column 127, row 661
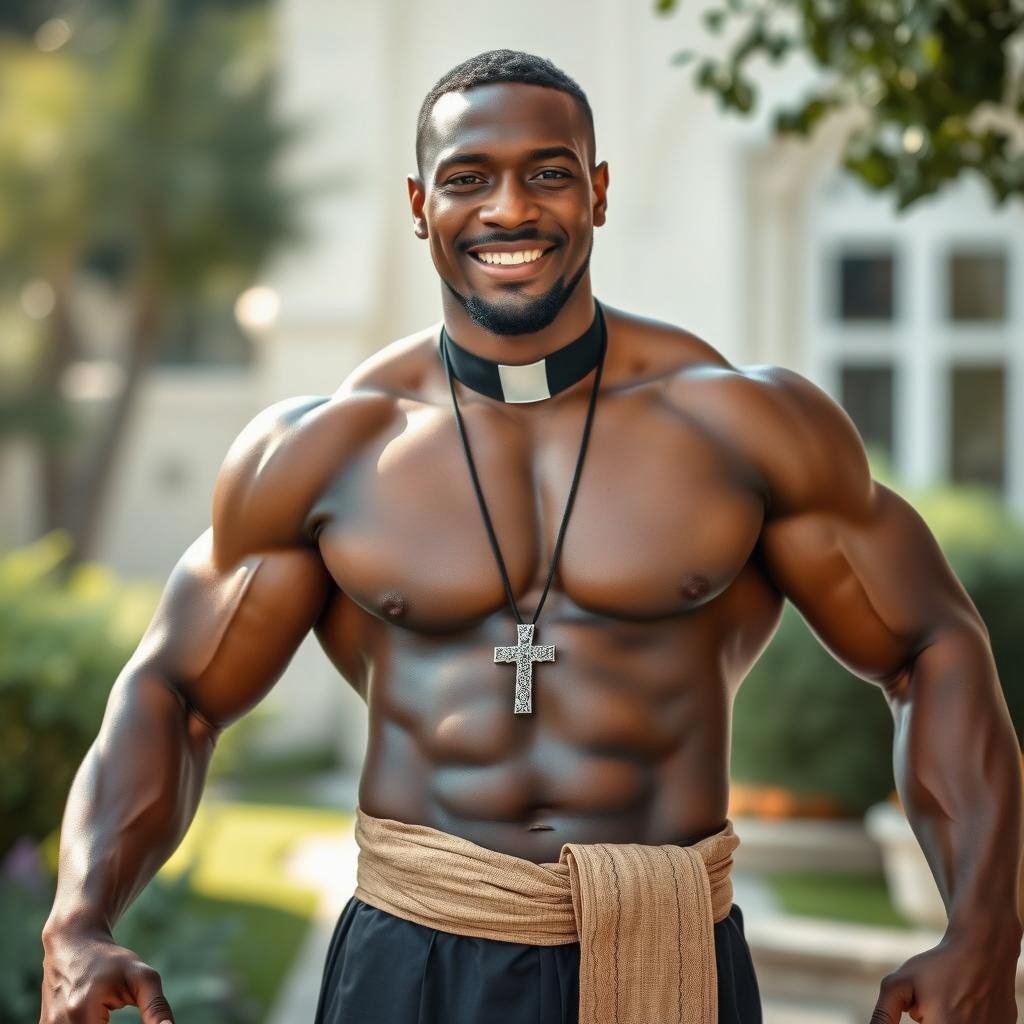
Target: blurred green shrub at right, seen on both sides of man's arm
column 803, row 722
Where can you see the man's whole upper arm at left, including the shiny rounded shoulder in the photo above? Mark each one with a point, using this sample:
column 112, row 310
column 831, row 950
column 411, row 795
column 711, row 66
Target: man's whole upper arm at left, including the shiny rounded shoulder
column 246, row 592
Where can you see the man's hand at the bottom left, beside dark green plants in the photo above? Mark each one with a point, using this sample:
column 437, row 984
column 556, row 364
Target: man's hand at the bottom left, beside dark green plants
column 87, row 975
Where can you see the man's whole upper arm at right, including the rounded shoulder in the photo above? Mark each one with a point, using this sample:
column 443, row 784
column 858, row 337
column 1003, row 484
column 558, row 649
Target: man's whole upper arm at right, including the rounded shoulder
column 857, row 560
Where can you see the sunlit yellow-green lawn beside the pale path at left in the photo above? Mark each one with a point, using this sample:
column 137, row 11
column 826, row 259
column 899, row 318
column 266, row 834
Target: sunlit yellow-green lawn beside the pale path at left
column 239, row 849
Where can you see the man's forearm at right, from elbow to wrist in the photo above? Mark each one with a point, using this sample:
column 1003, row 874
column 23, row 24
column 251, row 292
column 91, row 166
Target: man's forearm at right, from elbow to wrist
column 958, row 771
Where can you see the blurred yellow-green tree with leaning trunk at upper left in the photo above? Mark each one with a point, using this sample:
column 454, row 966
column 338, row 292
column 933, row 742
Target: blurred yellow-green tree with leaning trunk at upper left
column 145, row 148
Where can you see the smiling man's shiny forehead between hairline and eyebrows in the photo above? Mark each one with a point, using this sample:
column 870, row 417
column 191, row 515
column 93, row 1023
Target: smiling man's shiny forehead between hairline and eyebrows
column 506, row 115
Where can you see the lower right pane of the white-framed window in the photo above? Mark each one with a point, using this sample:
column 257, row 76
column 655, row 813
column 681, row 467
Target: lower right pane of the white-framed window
column 977, row 446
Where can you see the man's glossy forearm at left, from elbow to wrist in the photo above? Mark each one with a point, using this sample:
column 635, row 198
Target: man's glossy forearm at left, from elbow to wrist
column 132, row 801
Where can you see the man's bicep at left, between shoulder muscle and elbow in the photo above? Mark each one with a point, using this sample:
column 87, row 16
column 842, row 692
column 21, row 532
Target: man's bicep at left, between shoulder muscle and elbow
column 223, row 634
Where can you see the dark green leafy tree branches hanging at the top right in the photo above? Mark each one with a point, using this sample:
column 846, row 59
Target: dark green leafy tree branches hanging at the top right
column 934, row 81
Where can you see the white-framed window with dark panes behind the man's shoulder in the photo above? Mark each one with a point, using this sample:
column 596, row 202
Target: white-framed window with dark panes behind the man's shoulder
column 915, row 323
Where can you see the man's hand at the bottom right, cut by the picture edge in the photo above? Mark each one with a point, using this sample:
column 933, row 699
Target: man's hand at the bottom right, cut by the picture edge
column 960, row 982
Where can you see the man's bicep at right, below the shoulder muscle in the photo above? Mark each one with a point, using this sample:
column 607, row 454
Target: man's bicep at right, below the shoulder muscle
column 870, row 580
